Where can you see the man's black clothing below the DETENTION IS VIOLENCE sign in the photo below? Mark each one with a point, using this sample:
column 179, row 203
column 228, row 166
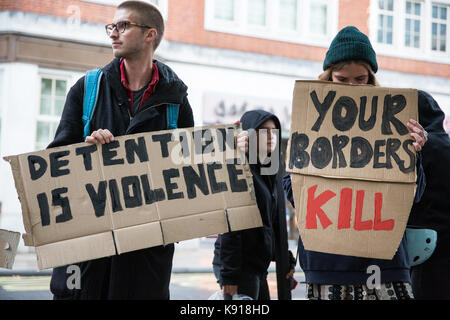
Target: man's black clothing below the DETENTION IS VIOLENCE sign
column 141, row 274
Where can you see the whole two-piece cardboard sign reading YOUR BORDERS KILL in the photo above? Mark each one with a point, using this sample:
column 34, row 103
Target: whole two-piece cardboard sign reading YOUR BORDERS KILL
column 353, row 167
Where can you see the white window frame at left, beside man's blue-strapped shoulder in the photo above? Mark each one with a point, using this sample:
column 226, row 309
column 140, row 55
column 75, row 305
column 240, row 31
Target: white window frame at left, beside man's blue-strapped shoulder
column 49, row 118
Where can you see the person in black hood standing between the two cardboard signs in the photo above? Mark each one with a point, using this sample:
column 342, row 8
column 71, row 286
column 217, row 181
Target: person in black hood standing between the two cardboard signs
column 241, row 258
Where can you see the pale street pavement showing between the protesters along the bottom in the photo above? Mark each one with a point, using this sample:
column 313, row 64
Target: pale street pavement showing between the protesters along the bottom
column 192, row 277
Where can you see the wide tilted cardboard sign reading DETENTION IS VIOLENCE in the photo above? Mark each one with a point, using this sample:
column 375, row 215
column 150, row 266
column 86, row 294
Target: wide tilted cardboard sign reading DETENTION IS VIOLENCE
column 84, row 201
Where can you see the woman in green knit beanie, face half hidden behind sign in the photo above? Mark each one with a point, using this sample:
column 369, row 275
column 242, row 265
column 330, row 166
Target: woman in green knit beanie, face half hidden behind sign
column 352, row 60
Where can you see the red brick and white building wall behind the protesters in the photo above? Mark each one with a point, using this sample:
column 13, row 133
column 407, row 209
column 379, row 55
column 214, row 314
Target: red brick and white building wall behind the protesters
column 225, row 71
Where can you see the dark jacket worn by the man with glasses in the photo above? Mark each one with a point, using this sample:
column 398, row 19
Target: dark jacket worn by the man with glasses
column 142, row 274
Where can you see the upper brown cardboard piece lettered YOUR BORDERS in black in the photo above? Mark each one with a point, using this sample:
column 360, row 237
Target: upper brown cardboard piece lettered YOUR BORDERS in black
column 305, row 116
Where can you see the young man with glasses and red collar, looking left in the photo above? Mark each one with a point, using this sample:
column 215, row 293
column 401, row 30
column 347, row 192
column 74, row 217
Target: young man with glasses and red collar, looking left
column 134, row 93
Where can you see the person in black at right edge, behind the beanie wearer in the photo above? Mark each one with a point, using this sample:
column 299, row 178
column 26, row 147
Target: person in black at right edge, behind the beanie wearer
column 431, row 279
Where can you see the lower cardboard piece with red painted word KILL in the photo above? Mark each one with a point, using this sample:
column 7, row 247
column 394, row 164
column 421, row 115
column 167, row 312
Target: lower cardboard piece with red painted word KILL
column 351, row 217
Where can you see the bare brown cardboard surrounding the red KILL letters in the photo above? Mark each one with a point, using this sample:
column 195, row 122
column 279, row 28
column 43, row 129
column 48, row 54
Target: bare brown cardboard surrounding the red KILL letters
column 396, row 205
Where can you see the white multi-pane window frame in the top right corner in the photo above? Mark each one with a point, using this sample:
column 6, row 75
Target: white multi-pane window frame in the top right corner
column 398, row 48
